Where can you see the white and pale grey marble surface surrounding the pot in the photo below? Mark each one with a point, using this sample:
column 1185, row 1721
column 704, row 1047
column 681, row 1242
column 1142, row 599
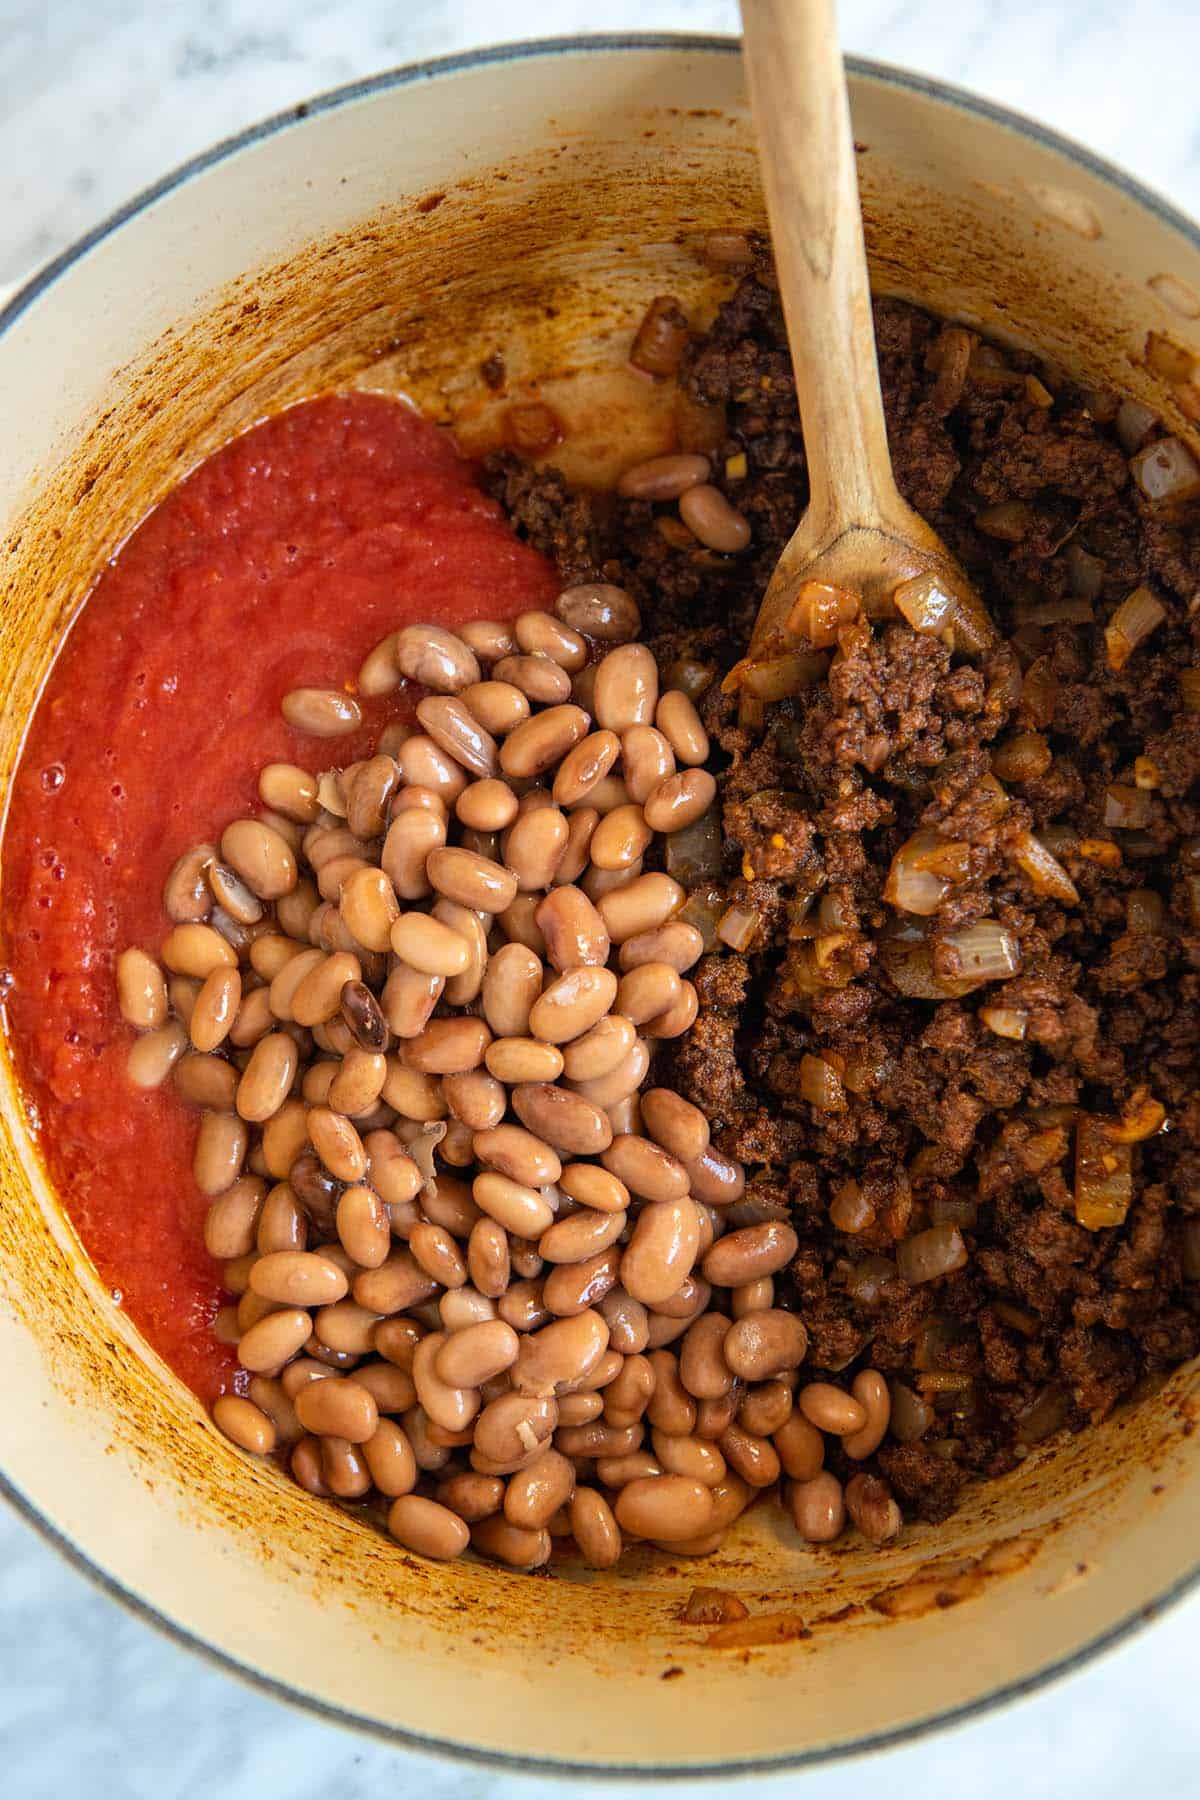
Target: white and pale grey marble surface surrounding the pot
column 96, row 102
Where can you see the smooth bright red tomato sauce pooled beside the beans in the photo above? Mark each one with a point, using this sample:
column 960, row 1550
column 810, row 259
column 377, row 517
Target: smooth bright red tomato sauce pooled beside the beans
column 278, row 564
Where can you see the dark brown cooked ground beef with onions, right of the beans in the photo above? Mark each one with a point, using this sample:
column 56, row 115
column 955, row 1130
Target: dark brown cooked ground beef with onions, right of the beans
column 940, row 1119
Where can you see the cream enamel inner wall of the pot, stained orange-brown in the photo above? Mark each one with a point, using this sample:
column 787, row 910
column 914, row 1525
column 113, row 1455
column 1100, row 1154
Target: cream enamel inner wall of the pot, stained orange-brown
column 575, row 183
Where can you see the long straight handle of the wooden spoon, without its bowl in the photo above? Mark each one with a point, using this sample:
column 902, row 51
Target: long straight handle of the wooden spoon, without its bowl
column 798, row 87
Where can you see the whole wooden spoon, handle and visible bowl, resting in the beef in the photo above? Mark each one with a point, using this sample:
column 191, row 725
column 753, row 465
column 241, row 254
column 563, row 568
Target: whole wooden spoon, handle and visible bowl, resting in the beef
column 857, row 534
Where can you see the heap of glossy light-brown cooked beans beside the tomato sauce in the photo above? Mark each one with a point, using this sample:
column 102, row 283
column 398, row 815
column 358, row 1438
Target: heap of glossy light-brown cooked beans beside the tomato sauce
column 487, row 1275
